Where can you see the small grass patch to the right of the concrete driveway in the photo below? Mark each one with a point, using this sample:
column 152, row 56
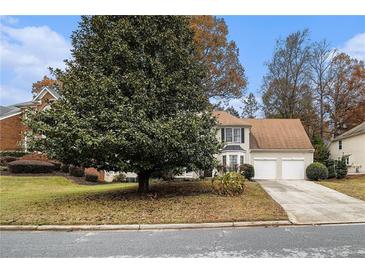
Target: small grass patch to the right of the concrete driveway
column 352, row 185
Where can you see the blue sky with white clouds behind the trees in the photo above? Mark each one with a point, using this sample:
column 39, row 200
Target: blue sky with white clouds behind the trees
column 30, row 44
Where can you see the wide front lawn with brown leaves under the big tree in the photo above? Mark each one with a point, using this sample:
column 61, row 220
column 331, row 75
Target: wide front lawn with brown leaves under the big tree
column 57, row 200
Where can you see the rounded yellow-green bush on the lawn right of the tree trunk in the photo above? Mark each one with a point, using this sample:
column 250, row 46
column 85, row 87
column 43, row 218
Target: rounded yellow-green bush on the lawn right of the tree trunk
column 229, row 184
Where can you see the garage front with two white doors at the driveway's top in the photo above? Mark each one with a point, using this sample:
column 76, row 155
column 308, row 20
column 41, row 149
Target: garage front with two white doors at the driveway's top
column 281, row 166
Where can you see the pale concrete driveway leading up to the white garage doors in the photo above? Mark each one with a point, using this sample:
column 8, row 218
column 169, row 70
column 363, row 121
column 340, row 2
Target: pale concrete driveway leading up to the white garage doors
column 306, row 202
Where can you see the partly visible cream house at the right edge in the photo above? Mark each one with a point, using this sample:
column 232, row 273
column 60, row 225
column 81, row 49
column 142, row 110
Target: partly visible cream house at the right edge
column 350, row 145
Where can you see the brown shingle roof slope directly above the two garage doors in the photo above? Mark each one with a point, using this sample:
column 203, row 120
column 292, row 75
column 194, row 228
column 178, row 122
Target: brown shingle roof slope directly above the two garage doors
column 278, row 134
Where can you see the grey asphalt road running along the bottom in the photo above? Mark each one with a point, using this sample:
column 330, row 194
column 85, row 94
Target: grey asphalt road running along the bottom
column 305, row 241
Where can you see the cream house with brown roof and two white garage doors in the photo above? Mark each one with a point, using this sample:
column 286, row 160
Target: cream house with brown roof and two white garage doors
column 277, row 148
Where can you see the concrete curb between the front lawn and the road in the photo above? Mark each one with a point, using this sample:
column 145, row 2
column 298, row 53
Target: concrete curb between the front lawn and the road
column 137, row 227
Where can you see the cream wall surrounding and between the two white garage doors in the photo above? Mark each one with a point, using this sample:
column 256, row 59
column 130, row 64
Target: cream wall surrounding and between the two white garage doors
column 306, row 155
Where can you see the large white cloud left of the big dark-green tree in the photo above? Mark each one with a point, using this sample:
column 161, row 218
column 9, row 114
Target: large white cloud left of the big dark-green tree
column 26, row 54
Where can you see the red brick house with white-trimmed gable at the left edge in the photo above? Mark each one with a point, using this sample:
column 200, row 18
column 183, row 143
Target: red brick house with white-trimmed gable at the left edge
column 11, row 125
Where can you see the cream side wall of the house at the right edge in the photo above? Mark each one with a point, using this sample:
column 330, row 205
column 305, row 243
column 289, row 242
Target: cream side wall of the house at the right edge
column 352, row 146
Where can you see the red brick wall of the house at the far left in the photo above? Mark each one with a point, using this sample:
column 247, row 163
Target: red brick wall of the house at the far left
column 11, row 130
